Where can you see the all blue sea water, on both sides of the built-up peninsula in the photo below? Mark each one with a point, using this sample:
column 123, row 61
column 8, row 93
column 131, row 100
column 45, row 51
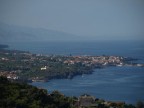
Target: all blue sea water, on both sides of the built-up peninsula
column 125, row 84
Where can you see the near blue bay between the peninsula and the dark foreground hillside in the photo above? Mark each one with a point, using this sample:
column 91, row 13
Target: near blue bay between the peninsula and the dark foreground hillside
column 113, row 83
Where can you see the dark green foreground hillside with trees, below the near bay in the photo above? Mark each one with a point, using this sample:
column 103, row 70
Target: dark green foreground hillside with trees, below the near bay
column 21, row 95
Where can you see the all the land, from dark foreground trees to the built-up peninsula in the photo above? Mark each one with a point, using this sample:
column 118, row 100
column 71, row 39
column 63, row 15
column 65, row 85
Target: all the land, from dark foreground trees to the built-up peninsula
column 18, row 67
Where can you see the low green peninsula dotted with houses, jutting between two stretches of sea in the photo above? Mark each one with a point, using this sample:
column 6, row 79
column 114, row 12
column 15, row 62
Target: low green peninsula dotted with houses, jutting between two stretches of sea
column 36, row 67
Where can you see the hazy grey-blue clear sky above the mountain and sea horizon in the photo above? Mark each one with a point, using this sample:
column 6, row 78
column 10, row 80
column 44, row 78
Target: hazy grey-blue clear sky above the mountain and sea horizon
column 98, row 19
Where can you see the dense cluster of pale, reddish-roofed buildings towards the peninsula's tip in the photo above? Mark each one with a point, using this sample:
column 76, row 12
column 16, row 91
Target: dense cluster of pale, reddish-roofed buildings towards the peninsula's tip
column 93, row 60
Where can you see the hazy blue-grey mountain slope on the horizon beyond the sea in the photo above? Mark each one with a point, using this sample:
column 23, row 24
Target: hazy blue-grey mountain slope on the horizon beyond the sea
column 18, row 33
